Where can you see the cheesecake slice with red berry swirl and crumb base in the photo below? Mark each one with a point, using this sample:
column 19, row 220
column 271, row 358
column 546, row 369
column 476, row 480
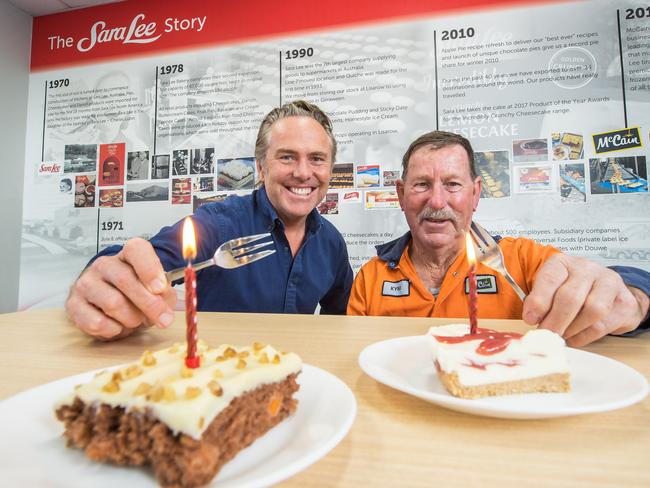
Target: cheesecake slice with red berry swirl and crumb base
column 490, row 363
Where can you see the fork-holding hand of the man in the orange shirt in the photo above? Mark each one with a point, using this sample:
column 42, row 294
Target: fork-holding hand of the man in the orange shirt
column 582, row 301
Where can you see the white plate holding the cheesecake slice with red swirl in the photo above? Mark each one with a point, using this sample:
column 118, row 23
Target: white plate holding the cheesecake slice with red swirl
column 598, row 383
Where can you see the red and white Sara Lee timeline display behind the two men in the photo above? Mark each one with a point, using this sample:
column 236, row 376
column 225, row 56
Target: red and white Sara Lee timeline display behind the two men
column 130, row 128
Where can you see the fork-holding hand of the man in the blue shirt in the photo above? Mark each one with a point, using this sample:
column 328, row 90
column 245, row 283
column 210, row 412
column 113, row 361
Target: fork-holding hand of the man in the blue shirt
column 117, row 294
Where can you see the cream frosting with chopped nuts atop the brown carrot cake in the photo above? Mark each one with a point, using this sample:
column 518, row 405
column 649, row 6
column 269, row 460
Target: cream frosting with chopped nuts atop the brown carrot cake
column 188, row 400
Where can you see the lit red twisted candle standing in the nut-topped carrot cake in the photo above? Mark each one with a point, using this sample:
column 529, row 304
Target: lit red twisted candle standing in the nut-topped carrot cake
column 189, row 253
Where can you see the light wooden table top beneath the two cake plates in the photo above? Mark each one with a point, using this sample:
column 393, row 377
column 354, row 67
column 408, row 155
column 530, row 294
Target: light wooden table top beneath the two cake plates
column 396, row 439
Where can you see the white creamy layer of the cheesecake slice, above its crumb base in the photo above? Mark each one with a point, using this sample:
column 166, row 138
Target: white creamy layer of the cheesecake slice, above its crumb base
column 537, row 353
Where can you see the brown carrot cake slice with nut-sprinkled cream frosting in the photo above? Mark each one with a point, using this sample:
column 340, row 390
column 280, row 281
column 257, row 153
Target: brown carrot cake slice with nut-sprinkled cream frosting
column 184, row 423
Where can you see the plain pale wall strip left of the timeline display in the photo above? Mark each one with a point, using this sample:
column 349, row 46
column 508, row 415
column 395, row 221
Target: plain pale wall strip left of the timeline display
column 15, row 44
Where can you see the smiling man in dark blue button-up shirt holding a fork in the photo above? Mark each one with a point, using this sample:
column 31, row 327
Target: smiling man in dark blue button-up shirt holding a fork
column 125, row 287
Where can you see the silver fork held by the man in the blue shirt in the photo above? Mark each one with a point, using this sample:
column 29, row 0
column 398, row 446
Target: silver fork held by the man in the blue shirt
column 230, row 254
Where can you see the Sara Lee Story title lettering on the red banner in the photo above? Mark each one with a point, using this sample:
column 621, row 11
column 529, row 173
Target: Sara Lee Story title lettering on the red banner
column 137, row 32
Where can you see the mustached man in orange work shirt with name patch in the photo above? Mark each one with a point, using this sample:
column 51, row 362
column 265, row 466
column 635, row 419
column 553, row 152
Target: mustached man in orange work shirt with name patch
column 423, row 273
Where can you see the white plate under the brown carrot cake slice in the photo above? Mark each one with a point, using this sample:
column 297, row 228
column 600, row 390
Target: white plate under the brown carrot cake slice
column 32, row 452
